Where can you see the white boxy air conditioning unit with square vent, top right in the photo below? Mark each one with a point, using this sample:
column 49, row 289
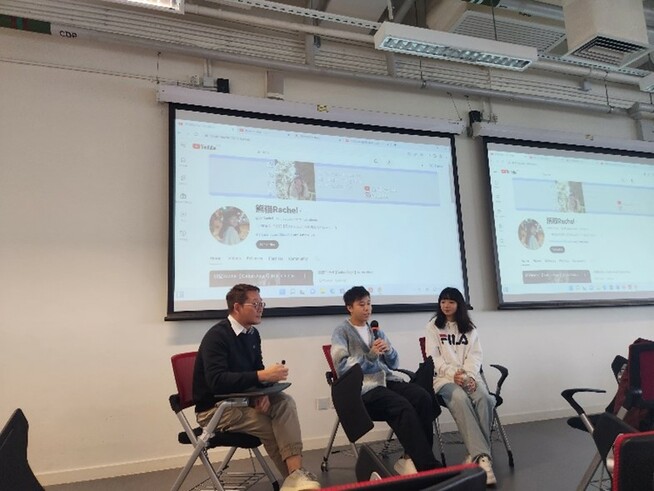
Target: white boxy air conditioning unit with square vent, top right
column 609, row 33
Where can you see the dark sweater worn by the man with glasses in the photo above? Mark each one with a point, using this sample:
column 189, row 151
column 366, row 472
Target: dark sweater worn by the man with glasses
column 225, row 363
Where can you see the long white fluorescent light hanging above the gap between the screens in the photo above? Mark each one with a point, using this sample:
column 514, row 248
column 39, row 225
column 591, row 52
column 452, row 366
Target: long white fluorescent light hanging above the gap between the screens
column 410, row 40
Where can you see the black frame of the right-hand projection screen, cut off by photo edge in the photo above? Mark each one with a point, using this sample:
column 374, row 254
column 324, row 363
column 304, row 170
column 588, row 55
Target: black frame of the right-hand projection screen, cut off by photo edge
column 549, row 304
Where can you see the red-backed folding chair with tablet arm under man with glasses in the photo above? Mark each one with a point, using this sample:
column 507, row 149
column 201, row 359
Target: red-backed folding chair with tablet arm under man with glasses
column 208, row 437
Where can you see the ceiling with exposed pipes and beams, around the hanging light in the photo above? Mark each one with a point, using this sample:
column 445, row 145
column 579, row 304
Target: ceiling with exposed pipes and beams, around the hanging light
column 335, row 38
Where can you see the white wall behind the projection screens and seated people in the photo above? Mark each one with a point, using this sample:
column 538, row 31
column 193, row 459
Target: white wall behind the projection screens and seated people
column 84, row 349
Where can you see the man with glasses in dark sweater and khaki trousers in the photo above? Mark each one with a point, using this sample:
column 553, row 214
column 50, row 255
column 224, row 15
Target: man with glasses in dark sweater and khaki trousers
column 230, row 360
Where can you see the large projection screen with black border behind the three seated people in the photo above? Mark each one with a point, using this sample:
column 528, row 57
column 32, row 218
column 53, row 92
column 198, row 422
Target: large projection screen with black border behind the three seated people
column 305, row 209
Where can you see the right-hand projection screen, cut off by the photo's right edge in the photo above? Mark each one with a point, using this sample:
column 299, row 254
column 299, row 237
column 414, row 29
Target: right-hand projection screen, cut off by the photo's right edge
column 573, row 226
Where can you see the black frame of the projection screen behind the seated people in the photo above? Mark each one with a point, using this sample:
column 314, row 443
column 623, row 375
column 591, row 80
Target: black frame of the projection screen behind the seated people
column 173, row 315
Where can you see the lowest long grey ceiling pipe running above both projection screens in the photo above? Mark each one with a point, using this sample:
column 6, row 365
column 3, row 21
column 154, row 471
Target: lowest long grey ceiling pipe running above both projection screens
column 342, row 74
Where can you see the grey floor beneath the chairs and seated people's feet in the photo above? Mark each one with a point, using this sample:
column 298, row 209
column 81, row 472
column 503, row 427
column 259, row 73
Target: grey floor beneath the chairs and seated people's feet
column 548, row 455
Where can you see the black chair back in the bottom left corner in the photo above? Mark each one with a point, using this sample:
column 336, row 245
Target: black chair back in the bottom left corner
column 15, row 472
